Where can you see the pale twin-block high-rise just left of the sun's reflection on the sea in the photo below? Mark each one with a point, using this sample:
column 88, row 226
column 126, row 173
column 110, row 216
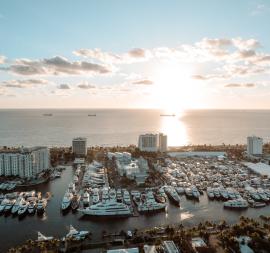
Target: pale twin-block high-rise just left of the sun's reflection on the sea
column 153, row 142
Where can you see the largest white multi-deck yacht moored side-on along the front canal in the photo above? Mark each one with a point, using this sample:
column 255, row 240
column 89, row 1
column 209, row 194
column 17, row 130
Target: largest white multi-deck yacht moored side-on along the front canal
column 107, row 208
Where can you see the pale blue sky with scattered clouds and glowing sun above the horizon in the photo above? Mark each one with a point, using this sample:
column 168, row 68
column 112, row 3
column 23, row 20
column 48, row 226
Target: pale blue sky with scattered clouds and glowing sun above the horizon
column 173, row 55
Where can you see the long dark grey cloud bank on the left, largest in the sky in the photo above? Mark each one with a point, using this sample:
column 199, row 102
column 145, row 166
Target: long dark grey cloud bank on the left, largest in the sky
column 57, row 65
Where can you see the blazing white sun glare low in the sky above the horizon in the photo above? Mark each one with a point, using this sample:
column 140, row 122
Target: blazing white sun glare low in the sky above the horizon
column 174, row 88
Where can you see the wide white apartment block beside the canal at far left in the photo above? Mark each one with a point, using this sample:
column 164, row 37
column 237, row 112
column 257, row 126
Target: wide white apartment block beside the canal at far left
column 24, row 162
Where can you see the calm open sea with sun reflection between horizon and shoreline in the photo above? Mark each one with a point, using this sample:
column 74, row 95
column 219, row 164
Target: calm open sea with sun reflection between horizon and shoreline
column 122, row 127
